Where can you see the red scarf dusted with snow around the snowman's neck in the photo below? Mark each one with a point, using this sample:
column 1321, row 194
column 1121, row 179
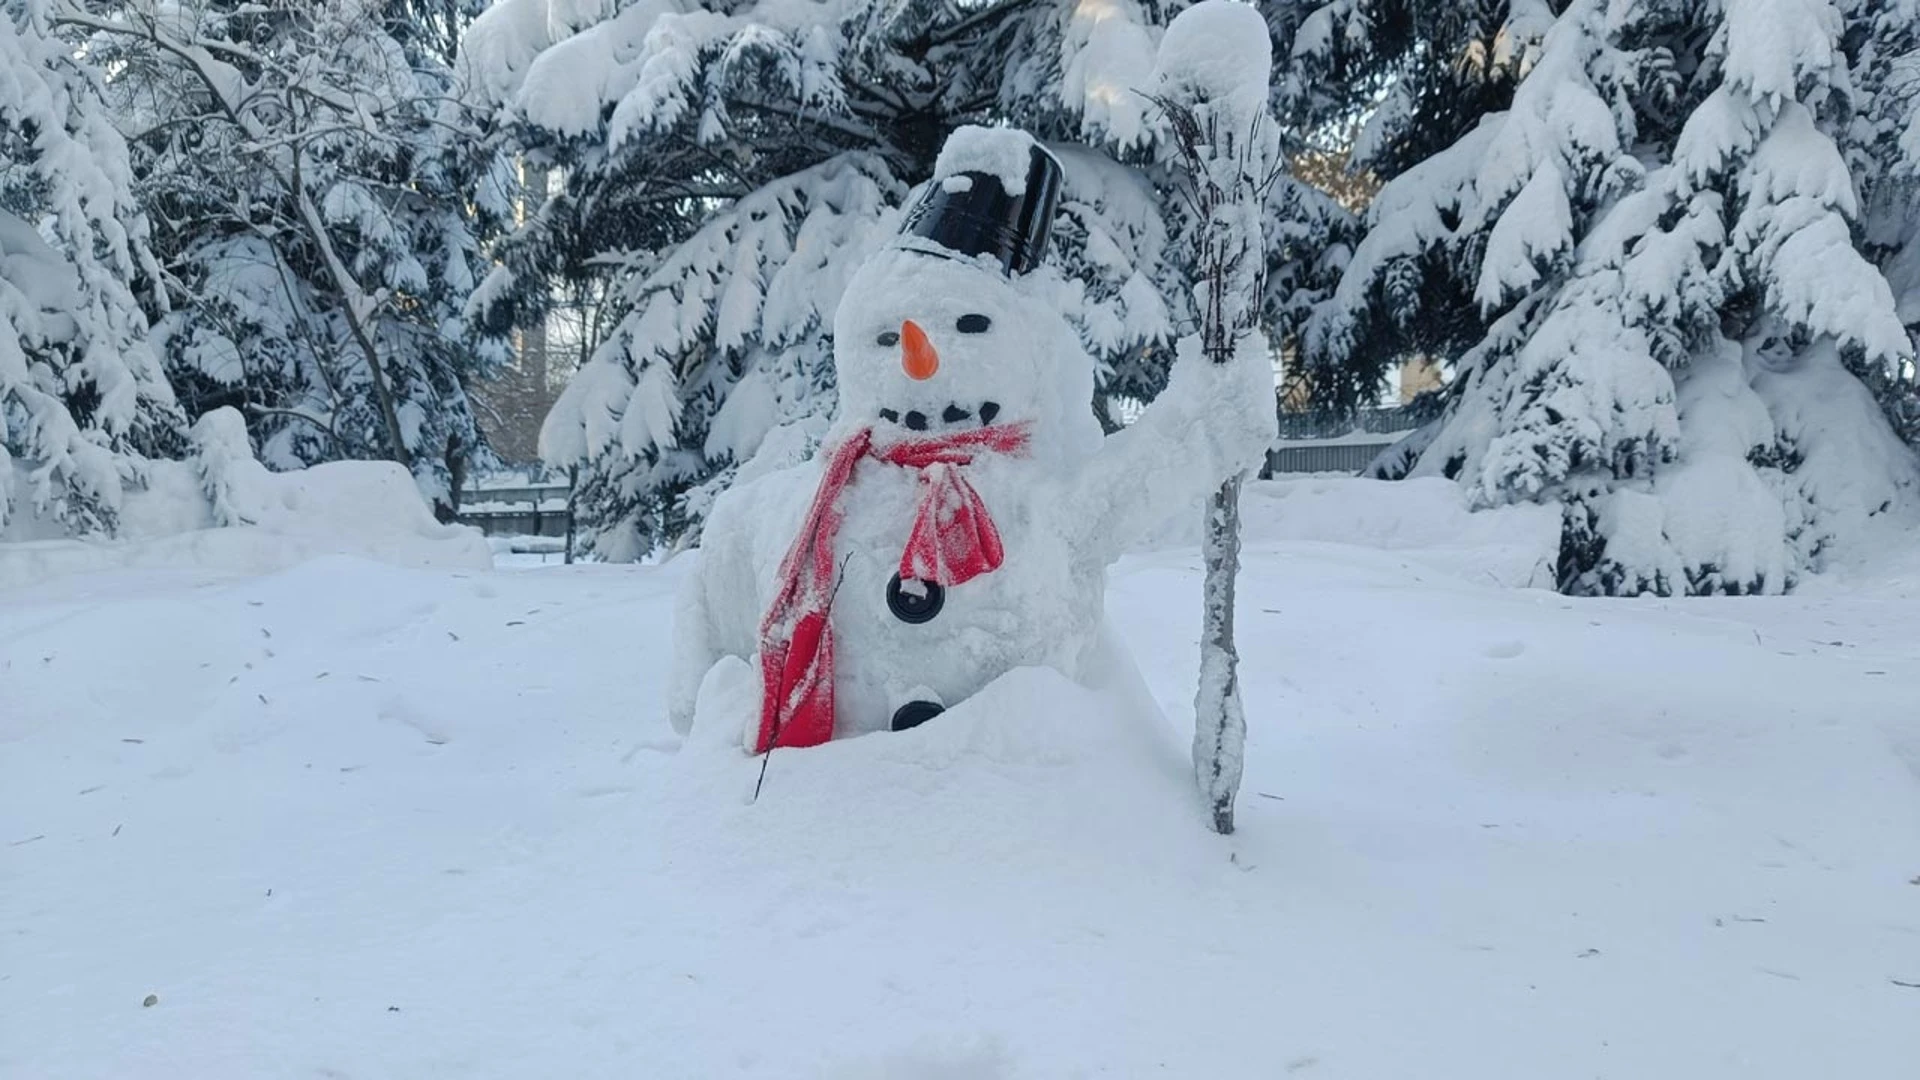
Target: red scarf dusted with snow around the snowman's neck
column 953, row 541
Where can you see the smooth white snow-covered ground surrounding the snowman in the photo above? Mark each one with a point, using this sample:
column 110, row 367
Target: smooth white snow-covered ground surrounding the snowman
column 362, row 822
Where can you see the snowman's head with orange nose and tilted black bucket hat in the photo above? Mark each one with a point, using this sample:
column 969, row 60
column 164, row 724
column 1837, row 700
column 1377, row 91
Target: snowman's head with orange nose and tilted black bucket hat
column 953, row 326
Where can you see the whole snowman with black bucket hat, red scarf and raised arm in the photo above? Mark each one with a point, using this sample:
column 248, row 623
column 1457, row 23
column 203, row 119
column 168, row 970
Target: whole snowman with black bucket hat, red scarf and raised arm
column 965, row 504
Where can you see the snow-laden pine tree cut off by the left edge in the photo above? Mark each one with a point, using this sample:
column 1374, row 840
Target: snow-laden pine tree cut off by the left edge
column 84, row 403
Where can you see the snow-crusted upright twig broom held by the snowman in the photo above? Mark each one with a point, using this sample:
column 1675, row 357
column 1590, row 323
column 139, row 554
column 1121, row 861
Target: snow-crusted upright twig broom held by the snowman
column 1212, row 84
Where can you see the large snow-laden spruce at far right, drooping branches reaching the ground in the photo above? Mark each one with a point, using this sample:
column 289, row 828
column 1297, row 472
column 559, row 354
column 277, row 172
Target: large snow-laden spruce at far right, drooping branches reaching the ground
column 1658, row 241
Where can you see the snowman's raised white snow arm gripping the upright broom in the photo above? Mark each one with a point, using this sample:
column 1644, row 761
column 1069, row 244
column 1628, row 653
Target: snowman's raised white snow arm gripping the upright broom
column 1209, row 426
